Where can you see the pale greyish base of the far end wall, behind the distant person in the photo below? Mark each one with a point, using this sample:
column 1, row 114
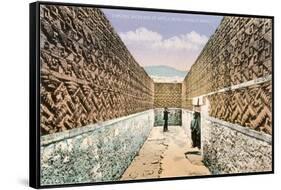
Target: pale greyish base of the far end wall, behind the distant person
column 174, row 118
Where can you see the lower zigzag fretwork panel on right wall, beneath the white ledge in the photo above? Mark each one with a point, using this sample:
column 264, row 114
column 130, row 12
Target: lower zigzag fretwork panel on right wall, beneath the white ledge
column 249, row 107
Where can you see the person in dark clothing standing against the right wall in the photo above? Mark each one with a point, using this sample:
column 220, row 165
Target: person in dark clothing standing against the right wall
column 195, row 130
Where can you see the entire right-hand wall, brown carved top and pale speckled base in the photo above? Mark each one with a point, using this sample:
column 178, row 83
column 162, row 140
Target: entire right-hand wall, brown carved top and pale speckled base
column 231, row 82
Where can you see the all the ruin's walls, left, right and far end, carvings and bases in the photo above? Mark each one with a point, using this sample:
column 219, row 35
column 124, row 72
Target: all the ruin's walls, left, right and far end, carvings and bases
column 98, row 104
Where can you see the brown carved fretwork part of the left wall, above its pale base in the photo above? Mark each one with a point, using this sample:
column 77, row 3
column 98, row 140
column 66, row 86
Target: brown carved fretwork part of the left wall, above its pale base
column 87, row 73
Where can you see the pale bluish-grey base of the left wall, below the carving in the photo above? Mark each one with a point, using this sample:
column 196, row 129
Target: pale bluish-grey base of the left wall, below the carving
column 97, row 152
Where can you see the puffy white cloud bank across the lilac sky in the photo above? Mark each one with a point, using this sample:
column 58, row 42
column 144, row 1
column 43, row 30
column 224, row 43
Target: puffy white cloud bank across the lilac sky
column 149, row 39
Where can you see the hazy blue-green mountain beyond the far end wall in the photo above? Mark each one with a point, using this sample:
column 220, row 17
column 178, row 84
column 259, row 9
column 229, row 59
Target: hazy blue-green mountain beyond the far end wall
column 164, row 71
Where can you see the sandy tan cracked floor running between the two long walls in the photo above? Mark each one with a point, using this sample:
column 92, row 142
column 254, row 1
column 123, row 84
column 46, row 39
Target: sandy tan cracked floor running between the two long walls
column 164, row 155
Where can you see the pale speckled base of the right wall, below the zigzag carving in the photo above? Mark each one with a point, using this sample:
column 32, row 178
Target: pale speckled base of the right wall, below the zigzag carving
column 231, row 148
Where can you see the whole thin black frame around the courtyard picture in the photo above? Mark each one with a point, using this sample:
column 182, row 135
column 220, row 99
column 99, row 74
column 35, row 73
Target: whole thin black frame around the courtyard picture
column 34, row 93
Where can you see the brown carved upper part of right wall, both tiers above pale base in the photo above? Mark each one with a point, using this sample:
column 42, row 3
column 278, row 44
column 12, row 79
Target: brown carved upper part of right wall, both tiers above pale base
column 239, row 51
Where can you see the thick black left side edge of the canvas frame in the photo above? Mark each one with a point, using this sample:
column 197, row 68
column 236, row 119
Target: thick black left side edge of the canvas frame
column 34, row 97
